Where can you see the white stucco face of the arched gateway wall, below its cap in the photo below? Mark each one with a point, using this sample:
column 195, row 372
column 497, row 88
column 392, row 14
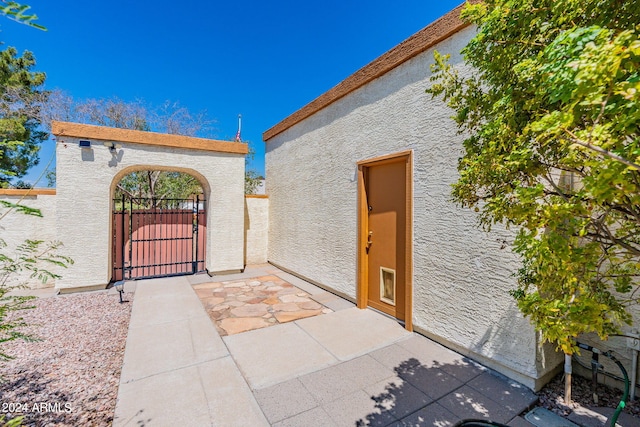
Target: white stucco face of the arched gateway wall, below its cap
column 86, row 180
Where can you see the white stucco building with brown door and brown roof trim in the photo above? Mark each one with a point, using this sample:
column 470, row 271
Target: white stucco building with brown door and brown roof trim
column 359, row 183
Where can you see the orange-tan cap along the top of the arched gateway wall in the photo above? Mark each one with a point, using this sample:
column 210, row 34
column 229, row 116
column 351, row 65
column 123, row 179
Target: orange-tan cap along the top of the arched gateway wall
column 102, row 133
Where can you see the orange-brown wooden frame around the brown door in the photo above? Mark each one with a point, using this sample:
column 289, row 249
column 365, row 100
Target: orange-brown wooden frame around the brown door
column 363, row 225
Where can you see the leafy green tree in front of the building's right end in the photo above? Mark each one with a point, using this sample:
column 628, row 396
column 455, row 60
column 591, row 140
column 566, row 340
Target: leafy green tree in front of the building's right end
column 551, row 115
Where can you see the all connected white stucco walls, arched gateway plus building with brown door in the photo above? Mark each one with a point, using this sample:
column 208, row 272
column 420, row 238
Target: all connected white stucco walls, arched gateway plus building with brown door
column 358, row 201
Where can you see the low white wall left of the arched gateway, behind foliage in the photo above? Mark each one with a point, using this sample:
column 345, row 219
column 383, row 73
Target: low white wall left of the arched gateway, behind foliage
column 16, row 227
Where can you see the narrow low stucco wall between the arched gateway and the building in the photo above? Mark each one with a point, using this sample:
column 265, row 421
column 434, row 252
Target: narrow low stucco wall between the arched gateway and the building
column 256, row 228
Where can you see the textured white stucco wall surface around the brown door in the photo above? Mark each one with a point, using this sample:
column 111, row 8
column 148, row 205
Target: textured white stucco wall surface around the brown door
column 461, row 276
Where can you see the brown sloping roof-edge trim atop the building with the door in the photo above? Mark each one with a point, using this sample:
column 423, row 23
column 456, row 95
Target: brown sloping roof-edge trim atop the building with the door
column 426, row 38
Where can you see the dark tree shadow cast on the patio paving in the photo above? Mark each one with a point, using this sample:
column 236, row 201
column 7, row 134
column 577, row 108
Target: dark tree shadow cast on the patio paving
column 445, row 394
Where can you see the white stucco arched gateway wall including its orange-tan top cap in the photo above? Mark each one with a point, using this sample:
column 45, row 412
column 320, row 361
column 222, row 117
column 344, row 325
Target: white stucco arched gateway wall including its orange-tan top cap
column 91, row 160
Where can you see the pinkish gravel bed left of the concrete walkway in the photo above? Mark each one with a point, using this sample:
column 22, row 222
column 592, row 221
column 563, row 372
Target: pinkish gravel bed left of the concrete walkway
column 70, row 376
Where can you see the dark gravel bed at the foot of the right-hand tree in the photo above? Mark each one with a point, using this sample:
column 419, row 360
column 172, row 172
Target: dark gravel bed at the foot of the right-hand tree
column 552, row 397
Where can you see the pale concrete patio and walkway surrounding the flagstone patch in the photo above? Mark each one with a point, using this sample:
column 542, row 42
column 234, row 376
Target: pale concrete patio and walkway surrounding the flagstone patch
column 343, row 368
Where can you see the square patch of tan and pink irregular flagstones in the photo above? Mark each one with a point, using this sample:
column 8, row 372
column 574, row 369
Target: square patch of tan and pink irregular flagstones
column 247, row 304
